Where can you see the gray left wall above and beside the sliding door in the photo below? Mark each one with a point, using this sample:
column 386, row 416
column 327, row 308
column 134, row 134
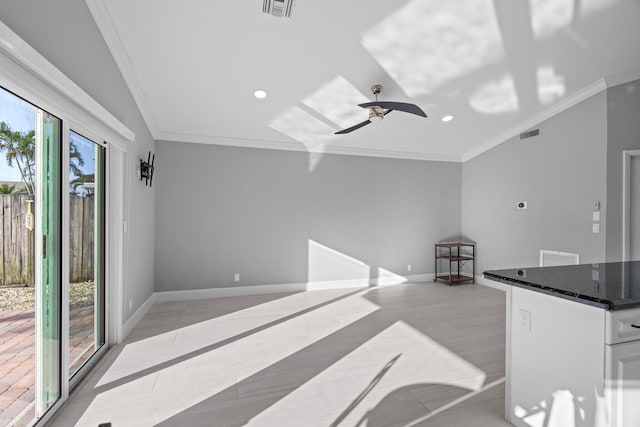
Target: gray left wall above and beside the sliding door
column 65, row 33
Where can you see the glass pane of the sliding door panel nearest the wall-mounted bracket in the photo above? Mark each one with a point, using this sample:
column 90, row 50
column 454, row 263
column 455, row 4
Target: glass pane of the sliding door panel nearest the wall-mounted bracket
column 86, row 249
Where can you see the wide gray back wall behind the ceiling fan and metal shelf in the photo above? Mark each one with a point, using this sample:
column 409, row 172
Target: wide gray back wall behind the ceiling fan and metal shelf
column 265, row 215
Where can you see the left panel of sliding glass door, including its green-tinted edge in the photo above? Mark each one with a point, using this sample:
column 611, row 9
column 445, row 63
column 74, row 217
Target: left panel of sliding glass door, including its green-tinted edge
column 30, row 254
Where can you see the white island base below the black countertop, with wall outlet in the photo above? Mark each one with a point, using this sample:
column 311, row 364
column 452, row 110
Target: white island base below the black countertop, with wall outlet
column 570, row 364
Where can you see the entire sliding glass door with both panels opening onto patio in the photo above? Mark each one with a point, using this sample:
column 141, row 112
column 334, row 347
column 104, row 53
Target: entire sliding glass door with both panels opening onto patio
column 44, row 343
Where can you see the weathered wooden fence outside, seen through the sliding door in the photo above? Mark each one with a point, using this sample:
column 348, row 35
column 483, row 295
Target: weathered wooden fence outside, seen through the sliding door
column 17, row 242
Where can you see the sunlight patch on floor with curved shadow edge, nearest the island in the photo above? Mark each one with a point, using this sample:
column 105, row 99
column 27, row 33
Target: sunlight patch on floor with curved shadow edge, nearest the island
column 349, row 389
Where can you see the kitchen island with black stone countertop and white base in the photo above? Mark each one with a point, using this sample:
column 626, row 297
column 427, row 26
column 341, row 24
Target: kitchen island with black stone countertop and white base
column 573, row 345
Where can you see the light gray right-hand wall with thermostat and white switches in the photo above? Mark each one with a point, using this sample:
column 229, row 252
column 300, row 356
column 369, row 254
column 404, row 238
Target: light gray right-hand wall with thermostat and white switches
column 560, row 174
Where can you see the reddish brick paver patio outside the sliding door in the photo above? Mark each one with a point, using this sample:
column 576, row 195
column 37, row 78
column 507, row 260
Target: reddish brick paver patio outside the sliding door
column 17, row 359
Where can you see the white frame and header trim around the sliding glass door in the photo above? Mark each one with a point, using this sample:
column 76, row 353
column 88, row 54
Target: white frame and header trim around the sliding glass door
column 29, row 75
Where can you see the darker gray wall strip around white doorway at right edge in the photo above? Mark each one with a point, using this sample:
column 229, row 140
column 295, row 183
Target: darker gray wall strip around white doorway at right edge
column 623, row 133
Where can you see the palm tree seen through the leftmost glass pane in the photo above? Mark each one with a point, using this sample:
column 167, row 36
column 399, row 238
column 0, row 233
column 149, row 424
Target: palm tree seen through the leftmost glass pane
column 19, row 148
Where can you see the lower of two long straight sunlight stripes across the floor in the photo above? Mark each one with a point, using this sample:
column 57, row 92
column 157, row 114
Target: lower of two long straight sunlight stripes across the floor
column 161, row 394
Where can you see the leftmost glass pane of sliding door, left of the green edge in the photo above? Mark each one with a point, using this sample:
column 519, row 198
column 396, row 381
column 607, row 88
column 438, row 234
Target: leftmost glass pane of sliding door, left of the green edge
column 17, row 260
